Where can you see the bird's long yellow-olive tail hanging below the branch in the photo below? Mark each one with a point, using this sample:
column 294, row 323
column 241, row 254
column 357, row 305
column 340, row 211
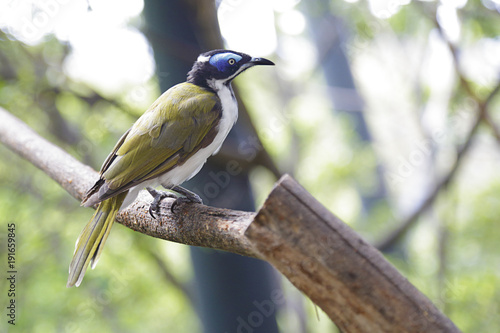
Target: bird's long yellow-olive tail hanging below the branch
column 91, row 241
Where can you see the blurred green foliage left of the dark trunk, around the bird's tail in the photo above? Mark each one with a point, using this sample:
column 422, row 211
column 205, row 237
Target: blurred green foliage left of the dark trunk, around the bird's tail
column 122, row 298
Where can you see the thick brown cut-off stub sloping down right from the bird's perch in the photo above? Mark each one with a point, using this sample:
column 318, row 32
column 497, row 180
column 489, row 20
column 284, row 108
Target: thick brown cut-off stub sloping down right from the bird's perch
column 345, row 276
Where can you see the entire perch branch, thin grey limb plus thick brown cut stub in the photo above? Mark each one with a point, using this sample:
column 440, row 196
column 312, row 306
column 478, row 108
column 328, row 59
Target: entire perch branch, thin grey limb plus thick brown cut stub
column 345, row 276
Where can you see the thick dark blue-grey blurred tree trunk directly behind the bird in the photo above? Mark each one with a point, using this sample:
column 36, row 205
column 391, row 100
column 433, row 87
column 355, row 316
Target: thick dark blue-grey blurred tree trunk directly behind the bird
column 232, row 289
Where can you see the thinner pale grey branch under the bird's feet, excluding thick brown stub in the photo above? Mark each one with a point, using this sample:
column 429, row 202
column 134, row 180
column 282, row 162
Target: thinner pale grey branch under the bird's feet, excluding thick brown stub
column 199, row 225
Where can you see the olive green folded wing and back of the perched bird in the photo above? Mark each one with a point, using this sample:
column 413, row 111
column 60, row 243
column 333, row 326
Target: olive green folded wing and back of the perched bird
column 181, row 121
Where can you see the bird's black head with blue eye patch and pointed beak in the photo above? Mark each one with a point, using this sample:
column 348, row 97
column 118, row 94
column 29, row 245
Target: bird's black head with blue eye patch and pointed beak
column 215, row 68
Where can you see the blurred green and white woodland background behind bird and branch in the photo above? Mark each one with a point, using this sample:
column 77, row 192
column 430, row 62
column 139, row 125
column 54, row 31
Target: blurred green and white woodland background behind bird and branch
column 385, row 110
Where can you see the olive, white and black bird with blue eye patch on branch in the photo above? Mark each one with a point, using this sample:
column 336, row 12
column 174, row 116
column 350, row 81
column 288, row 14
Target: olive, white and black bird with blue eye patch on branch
column 166, row 146
